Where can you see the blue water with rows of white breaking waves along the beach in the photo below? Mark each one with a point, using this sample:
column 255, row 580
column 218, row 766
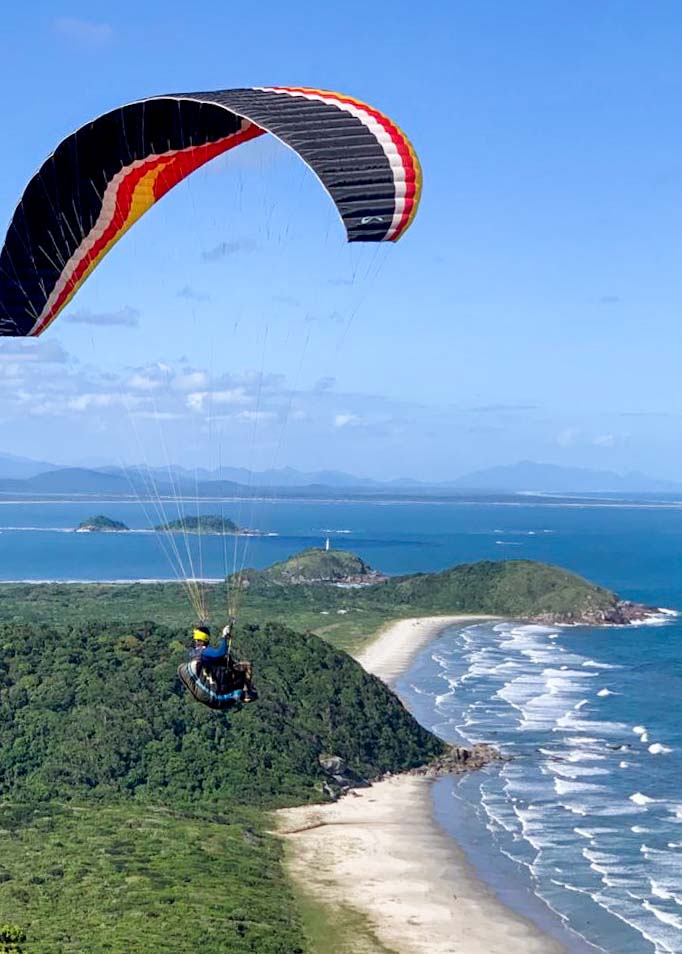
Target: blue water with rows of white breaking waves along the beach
column 583, row 827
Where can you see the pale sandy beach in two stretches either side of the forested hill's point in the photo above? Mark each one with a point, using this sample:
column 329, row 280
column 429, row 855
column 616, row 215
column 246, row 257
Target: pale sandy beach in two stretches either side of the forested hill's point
column 380, row 851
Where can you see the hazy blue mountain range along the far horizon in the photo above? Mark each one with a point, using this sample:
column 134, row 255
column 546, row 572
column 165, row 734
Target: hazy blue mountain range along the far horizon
column 23, row 476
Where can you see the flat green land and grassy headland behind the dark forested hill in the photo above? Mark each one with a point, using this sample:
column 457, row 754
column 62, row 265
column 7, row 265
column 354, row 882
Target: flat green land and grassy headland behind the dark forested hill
column 344, row 617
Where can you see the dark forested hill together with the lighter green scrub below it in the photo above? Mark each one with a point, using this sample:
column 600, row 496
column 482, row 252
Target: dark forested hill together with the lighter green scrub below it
column 126, row 802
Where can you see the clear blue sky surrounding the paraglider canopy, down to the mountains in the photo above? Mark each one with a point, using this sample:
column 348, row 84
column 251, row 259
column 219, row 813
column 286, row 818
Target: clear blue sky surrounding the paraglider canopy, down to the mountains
column 531, row 311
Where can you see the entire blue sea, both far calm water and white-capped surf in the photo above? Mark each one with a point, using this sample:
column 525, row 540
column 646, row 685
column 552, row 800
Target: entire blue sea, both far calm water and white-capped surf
column 582, row 829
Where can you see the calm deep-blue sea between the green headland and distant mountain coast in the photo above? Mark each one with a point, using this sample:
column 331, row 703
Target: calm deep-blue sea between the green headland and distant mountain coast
column 634, row 549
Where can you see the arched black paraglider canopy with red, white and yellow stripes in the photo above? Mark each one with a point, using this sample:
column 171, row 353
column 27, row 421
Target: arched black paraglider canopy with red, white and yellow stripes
column 101, row 179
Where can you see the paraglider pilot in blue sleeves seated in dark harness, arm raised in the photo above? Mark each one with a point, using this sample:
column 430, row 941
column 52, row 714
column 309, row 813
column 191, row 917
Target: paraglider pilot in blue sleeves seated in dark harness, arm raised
column 218, row 683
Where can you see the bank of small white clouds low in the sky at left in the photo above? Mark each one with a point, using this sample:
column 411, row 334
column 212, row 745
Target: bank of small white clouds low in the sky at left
column 78, row 401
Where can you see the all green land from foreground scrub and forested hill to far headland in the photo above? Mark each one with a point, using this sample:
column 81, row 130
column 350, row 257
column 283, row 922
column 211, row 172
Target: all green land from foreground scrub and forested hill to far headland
column 124, row 801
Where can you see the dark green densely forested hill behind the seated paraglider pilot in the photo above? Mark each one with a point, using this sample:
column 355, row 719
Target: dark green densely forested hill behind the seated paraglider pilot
column 98, row 711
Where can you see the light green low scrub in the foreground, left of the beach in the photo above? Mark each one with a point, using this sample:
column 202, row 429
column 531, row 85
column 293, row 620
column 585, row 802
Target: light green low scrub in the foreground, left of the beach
column 117, row 879
